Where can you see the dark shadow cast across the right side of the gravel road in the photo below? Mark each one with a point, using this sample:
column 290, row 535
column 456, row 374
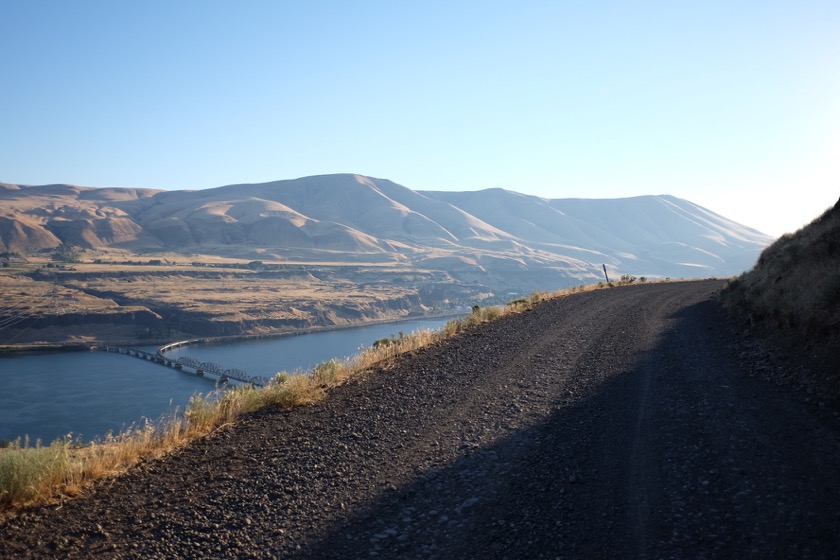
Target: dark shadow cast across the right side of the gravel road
column 680, row 455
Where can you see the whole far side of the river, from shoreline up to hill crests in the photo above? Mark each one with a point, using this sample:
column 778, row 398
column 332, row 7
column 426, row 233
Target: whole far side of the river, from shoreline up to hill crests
column 85, row 264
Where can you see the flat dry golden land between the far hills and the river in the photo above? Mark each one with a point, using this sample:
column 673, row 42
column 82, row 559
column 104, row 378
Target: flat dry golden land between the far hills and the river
column 225, row 300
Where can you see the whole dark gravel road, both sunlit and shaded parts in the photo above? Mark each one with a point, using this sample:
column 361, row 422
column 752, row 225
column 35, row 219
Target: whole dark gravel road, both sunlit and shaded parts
column 618, row 423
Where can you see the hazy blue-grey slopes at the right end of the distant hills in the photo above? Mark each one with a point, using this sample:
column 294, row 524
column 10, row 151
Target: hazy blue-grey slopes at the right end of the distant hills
column 660, row 235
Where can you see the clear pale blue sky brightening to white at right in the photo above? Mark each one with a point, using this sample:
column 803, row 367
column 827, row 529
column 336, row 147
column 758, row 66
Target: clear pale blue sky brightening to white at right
column 734, row 105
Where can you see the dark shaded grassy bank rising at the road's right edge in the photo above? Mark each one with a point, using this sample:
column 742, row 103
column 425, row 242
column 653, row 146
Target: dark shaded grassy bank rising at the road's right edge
column 794, row 292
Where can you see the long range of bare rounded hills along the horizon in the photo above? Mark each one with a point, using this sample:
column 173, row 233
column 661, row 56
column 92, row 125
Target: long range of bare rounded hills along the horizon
column 493, row 237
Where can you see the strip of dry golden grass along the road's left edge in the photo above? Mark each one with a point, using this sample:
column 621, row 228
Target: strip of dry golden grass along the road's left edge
column 35, row 473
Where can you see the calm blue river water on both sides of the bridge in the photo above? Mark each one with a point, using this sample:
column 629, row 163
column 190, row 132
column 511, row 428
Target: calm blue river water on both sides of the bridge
column 89, row 394
